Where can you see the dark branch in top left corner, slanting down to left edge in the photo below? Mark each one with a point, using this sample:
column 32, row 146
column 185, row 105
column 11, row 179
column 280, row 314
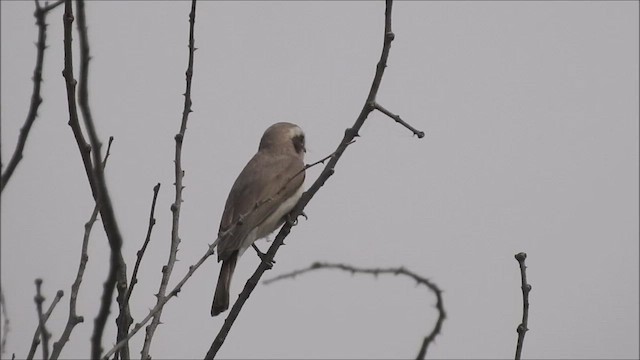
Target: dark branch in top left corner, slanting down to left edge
column 41, row 15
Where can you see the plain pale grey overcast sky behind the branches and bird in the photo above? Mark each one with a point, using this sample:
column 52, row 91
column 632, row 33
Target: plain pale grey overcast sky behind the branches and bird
column 531, row 115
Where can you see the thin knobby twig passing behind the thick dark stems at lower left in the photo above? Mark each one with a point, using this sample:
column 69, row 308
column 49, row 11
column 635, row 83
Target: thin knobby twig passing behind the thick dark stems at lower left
column 73, row 318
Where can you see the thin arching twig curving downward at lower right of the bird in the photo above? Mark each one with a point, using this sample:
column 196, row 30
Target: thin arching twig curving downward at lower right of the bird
column 375, row 272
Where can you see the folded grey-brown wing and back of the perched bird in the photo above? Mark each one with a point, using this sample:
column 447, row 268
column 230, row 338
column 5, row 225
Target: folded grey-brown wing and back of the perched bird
column 265, row 182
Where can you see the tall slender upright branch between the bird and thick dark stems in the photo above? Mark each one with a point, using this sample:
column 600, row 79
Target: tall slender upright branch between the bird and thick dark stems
column 179, row 174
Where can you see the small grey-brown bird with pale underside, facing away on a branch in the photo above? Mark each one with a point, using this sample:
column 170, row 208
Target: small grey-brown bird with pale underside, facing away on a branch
column 260, row 200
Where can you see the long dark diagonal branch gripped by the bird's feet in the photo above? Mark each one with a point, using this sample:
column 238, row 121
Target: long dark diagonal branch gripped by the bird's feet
column 329, row 169
